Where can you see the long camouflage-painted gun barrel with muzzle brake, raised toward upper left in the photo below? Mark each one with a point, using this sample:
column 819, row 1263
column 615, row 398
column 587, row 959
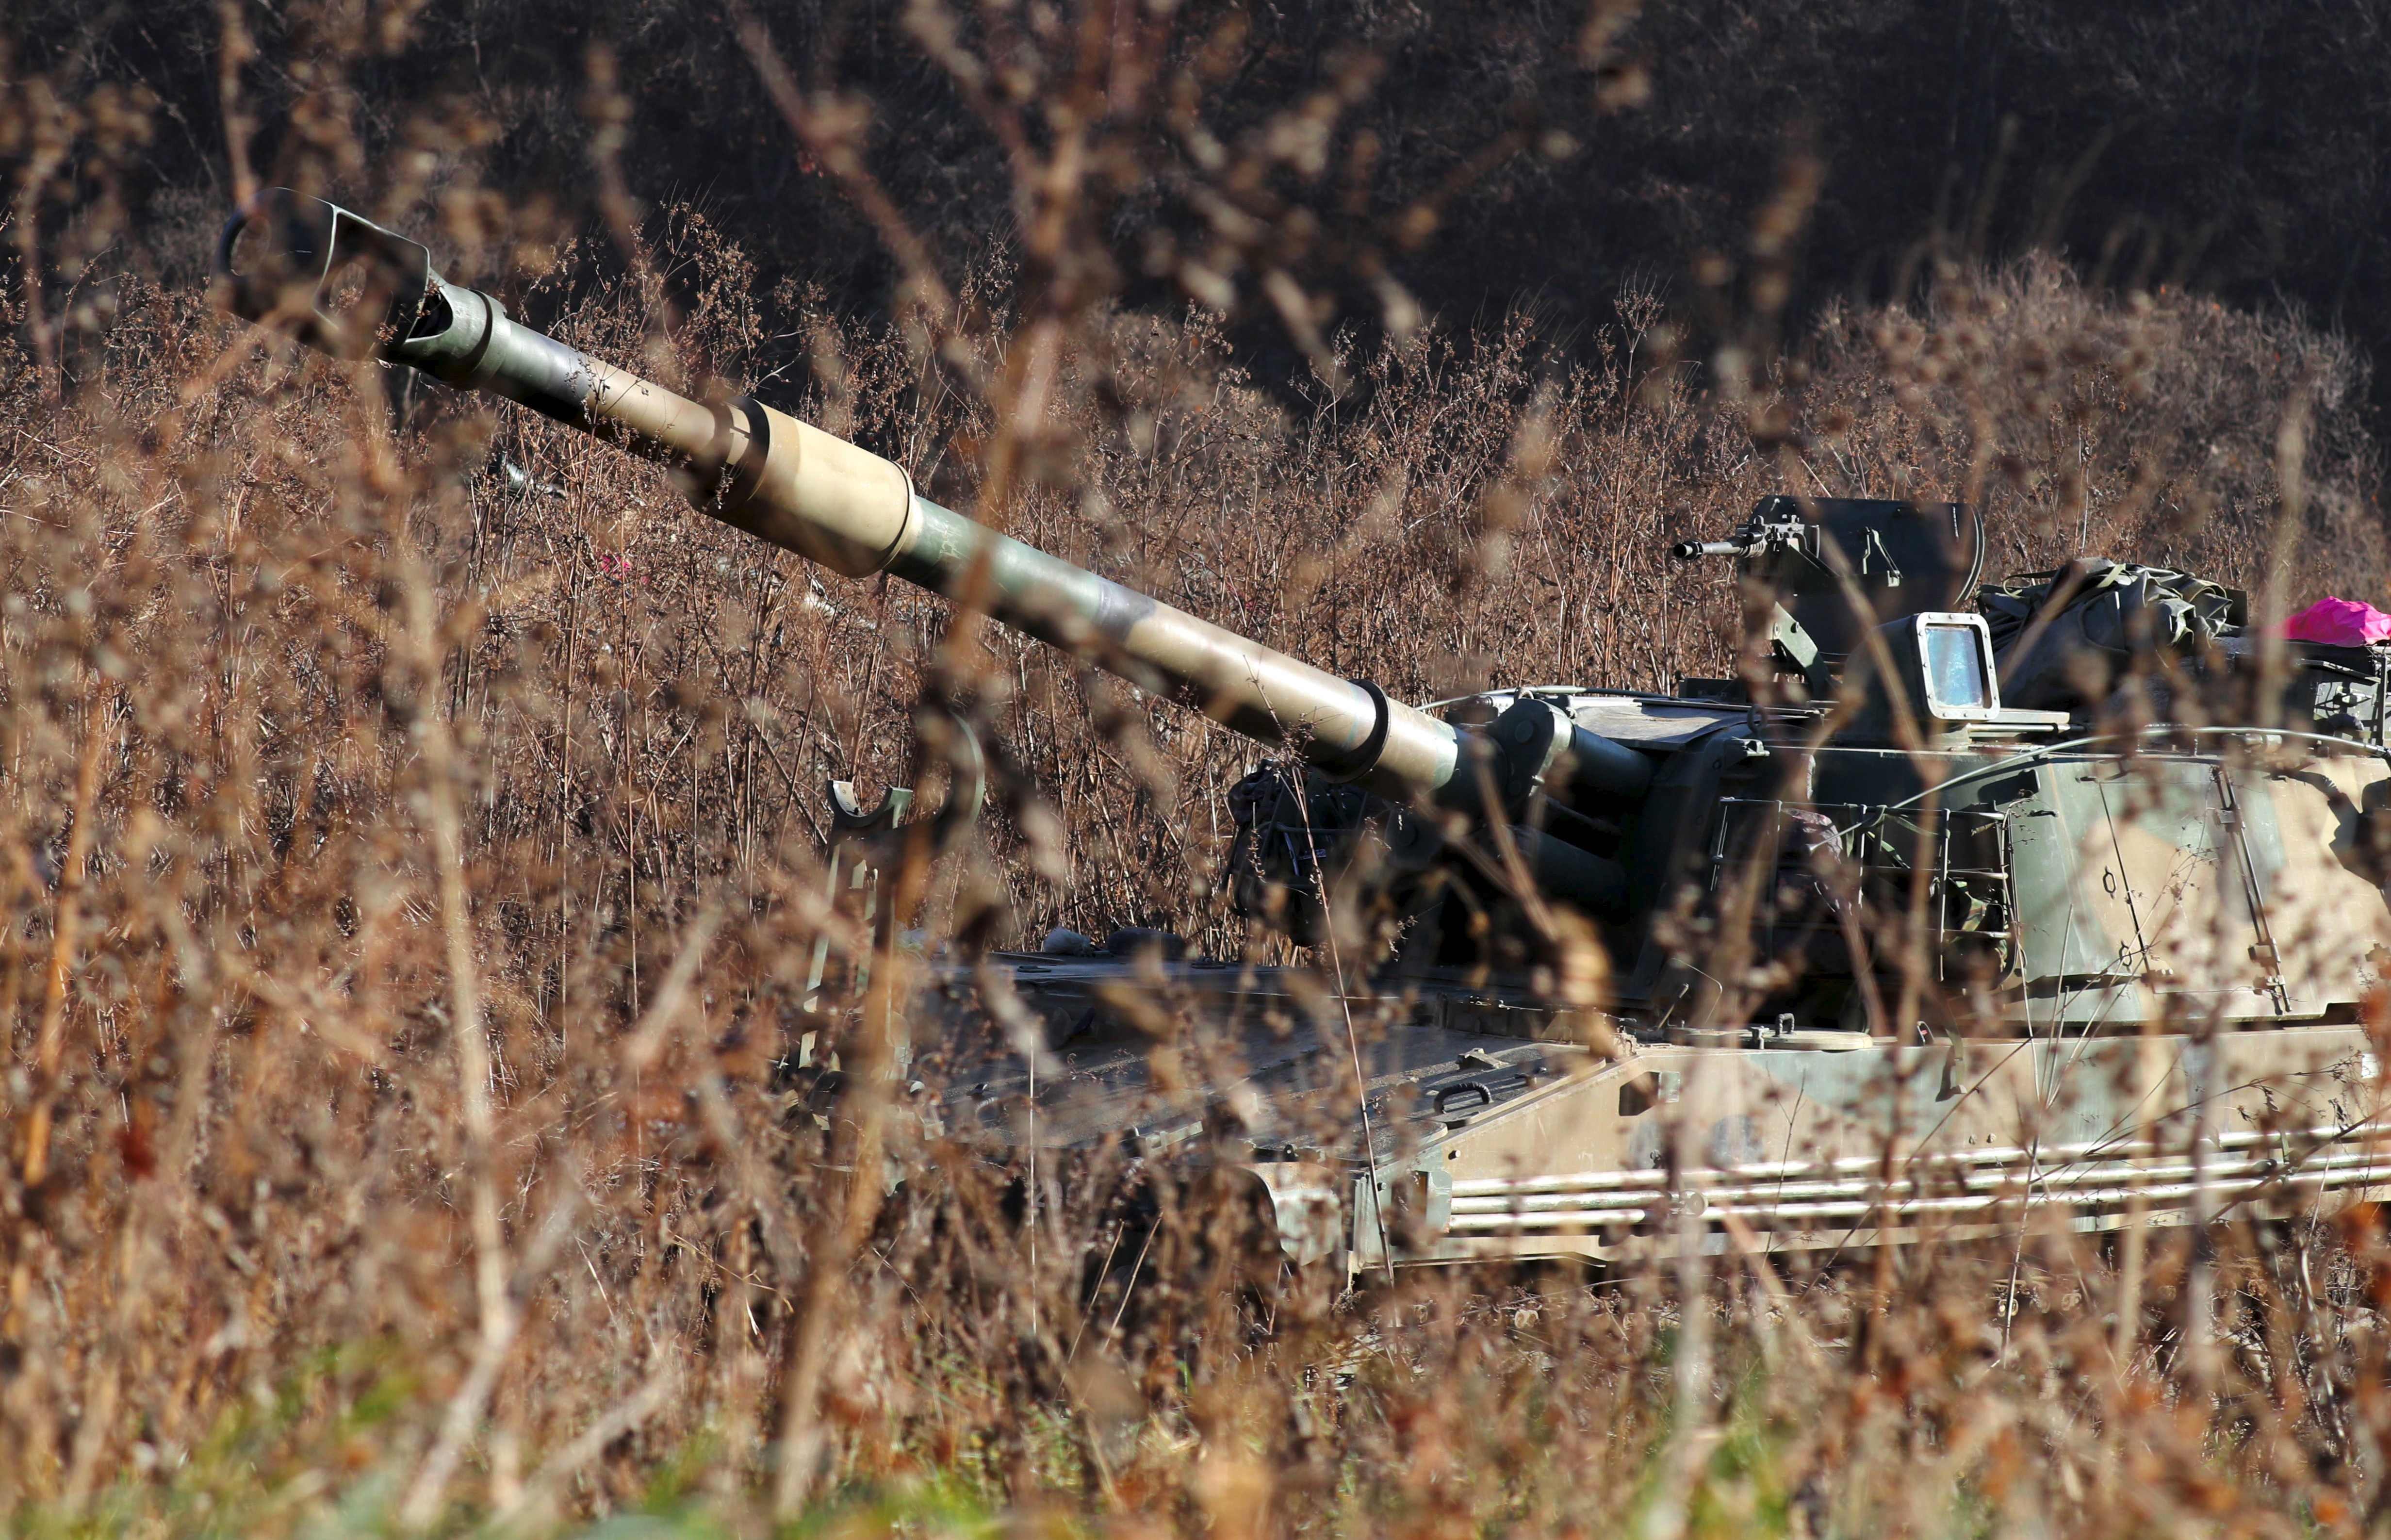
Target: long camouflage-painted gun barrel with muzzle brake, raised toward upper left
column 353, row 288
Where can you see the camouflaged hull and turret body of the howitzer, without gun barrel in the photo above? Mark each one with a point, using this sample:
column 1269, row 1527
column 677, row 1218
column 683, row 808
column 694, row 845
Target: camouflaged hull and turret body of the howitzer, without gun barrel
column 2146, row 979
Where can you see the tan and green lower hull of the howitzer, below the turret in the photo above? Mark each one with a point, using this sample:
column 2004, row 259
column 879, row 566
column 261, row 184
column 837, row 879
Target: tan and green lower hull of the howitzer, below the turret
column 1484, row 1147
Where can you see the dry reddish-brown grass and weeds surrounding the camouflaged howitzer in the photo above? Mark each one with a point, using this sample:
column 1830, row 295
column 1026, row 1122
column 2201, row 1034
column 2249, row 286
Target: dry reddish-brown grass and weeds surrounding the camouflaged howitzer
column 417, row 879
